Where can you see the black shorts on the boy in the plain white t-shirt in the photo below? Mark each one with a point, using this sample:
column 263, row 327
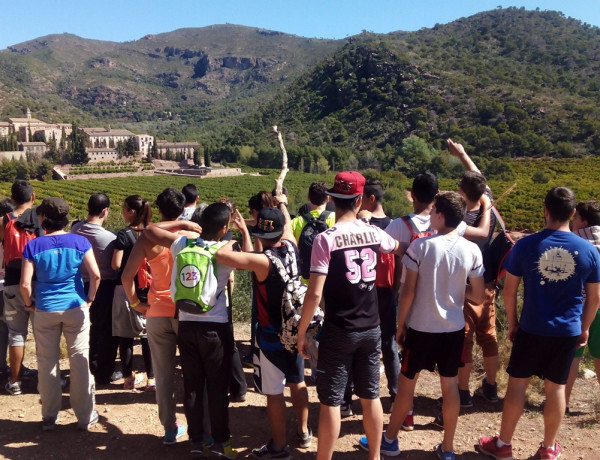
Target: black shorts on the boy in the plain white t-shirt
column 423, row 350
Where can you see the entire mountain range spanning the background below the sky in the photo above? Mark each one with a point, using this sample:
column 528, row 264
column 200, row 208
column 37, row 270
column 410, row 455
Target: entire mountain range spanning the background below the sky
column 507, row 83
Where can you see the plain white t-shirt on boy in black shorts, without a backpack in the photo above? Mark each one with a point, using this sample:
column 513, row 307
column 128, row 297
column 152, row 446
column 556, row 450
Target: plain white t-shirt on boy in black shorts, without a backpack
column 443, row 263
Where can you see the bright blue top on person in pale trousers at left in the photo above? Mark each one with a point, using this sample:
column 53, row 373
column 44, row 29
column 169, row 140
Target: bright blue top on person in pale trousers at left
column 57, row 260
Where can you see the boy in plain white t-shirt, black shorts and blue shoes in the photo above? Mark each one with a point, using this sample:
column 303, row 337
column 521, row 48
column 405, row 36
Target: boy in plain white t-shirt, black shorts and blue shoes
column 431, row 325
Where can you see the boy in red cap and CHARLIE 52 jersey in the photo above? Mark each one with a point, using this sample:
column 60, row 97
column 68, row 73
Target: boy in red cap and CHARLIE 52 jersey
column 343, row 267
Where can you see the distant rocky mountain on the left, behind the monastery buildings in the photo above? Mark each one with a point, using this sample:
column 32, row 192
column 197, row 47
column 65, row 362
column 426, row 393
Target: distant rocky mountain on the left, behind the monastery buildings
column 221, row 69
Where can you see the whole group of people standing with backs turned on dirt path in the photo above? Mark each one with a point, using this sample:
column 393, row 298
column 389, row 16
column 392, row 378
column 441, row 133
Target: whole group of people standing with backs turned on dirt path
column 425, row 283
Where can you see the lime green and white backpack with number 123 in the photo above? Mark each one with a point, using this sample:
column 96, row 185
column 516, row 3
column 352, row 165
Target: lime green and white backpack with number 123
column 196, row 282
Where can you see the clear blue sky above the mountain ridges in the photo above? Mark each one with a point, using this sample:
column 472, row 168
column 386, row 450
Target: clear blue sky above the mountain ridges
column 126, row 20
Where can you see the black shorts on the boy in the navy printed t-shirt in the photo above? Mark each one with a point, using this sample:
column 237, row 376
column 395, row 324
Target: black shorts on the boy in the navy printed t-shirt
column 547, row 357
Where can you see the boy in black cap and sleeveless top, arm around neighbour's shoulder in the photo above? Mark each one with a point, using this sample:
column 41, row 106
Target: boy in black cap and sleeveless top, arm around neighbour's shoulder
column 274, row 366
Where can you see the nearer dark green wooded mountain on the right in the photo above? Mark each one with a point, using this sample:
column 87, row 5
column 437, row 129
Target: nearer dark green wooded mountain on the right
column 508, row 83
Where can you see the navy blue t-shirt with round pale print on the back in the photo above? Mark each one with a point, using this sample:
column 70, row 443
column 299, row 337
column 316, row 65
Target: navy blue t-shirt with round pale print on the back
column 554, row 266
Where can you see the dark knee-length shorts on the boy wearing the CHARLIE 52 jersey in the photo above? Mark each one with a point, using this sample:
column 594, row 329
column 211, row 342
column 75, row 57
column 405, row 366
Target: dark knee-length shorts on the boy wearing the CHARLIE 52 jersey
column 348, row 354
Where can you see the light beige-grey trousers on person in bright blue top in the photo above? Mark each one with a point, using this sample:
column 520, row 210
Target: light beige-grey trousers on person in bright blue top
column 74, row 324
